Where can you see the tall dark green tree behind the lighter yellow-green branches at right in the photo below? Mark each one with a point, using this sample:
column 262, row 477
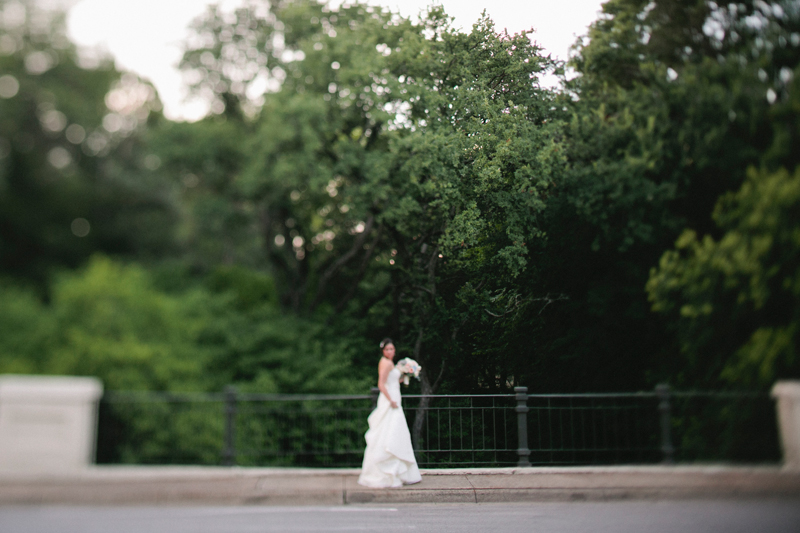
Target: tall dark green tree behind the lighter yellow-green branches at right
column 672, row 103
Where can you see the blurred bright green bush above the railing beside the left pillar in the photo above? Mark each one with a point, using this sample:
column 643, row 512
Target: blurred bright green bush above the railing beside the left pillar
column 114, row 324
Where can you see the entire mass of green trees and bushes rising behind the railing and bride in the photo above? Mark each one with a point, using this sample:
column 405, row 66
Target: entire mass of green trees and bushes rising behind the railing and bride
column 636, row 225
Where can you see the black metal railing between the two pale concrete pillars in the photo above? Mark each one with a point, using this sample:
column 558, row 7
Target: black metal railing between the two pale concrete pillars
column 233, row 428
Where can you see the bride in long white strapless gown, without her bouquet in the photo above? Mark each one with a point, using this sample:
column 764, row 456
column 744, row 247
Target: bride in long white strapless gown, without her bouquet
column 389, row 458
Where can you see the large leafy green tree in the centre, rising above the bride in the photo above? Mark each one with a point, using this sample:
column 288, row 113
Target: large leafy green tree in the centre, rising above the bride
column 393, row 160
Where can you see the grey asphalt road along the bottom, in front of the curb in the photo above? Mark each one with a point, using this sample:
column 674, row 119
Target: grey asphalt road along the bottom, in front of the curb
column 723, row 516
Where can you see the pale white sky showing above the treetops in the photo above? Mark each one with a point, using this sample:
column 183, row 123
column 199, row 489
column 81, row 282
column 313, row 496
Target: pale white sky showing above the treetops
column 145, row 36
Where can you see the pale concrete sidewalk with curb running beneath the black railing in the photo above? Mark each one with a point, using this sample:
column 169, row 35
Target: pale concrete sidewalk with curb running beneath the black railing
column 174, row 485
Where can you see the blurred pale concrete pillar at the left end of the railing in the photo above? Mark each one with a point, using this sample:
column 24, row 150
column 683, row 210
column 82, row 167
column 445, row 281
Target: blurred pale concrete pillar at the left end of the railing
column 48, row 424
